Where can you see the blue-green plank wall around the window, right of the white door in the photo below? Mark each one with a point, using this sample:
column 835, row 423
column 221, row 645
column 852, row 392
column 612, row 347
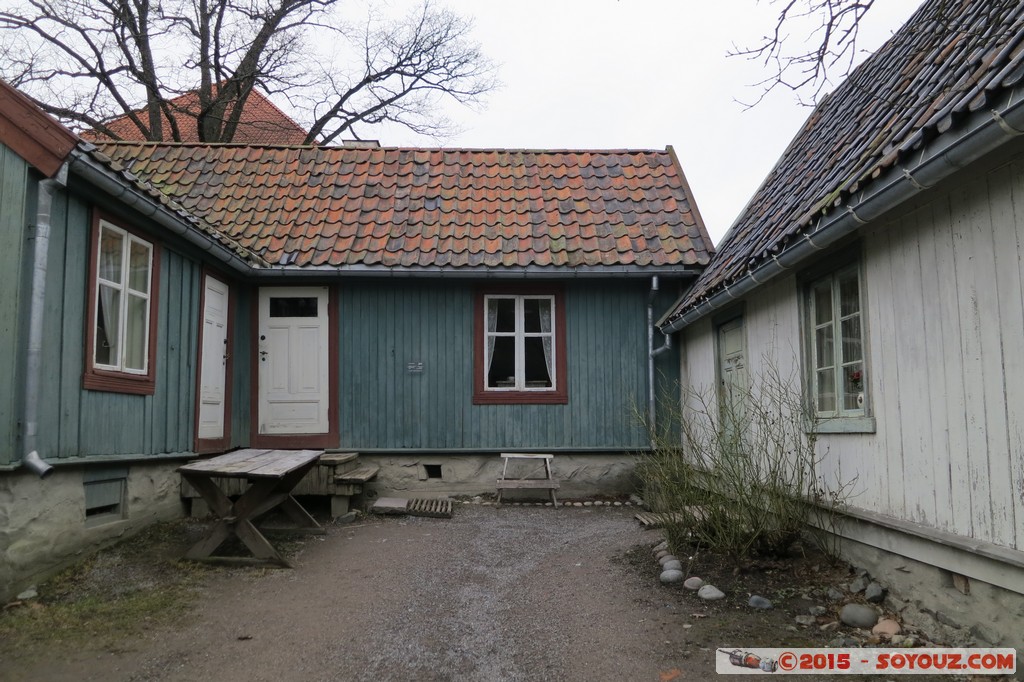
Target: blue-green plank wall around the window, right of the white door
column 386, row 326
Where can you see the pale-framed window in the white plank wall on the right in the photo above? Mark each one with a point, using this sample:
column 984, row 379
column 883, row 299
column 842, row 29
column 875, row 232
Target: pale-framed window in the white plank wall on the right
column 836, row 348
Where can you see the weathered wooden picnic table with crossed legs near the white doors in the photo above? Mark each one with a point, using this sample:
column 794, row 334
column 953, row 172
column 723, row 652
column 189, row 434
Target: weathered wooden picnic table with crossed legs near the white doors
column 273, row 475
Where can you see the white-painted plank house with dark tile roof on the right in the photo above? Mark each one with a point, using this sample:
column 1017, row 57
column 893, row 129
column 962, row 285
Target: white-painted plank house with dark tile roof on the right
column 882, row 263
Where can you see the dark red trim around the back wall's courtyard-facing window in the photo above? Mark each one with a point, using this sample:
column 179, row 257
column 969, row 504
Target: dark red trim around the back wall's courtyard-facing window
column 562, row 394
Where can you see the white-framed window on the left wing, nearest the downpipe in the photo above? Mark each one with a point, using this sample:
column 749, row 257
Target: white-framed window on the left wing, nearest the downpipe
column 124, row 271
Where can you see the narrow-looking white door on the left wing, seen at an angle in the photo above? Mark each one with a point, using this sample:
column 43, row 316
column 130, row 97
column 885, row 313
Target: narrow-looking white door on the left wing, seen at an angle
column 215, row 361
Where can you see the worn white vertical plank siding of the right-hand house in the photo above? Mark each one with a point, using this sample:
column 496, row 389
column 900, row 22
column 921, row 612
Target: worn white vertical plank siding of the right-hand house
column 946, row 336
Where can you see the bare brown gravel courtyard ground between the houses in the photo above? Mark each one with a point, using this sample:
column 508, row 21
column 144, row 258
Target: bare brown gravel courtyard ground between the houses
column 511, row 593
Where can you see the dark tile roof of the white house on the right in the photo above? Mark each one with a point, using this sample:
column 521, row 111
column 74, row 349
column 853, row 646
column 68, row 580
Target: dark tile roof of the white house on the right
column 952, row 59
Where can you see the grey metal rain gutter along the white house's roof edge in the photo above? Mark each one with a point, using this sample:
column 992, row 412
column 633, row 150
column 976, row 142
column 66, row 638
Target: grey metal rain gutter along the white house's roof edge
column 984, row 133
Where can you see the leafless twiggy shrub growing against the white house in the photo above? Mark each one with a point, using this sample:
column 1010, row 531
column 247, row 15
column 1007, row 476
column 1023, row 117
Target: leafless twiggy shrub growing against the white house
column 742, row 476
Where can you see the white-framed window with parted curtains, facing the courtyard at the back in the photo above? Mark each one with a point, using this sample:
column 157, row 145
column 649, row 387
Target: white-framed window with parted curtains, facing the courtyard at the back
column 520, row 349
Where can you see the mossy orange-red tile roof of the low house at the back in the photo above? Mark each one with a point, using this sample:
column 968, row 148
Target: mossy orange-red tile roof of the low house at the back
column 386, row 208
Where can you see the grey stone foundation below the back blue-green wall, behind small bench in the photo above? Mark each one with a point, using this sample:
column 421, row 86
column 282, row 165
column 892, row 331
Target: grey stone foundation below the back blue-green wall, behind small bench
column 579, row 475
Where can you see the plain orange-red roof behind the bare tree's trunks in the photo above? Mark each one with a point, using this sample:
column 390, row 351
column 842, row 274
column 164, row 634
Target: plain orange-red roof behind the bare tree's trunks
column 262, row 123
